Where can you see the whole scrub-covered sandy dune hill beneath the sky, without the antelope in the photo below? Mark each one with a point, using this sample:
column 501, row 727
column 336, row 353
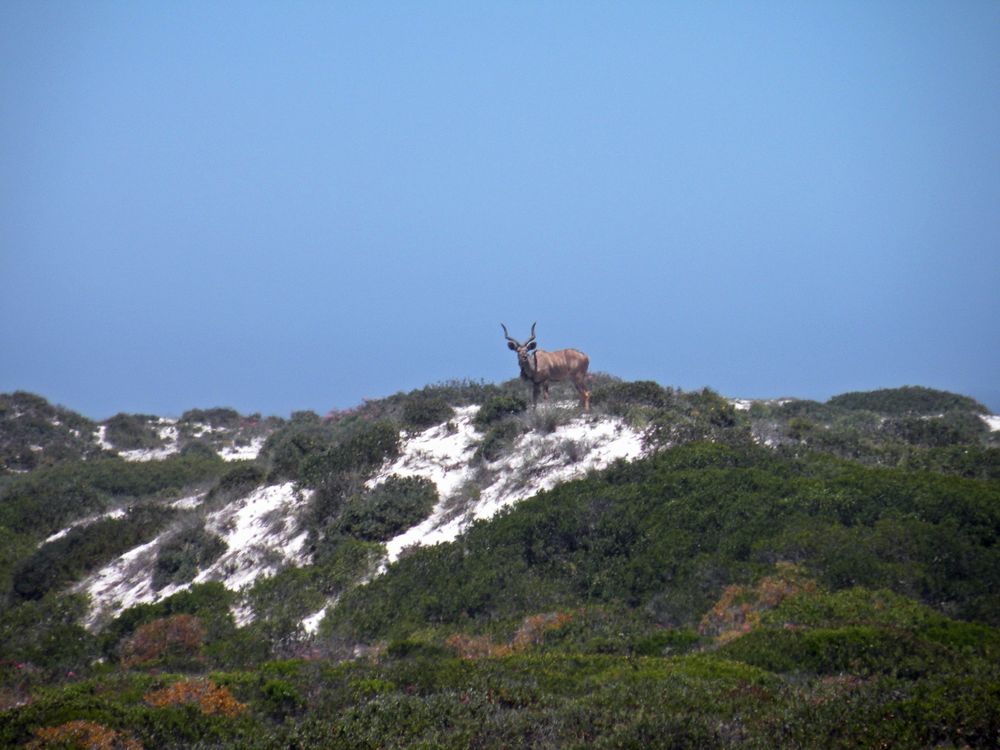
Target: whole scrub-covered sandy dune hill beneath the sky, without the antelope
column 448, row 567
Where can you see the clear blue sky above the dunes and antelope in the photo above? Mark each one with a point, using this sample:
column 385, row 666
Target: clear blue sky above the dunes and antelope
column 297, row 205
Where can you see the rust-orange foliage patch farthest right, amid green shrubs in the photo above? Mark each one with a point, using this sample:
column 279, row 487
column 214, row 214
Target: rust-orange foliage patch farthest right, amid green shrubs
column 739, row 608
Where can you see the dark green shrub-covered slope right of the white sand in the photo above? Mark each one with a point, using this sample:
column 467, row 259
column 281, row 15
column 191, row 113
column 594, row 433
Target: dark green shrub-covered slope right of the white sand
column 665, row 534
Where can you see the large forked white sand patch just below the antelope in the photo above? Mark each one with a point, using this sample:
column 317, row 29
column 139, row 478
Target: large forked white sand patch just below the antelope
column 536, row 462
